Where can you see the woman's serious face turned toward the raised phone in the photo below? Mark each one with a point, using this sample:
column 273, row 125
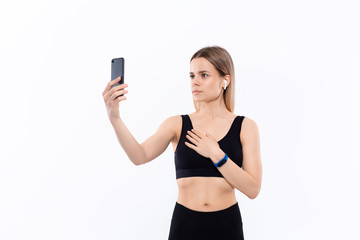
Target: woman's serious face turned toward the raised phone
column 205, row 79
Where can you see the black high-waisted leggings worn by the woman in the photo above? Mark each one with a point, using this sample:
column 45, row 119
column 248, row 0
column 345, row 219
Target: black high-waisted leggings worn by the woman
column 188, row 224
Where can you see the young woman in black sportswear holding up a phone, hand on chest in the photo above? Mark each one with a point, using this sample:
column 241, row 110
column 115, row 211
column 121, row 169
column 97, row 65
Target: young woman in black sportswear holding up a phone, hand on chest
column 215, row 150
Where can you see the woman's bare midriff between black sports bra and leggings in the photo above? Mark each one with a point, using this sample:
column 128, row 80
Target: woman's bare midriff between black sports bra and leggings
column 205, row 194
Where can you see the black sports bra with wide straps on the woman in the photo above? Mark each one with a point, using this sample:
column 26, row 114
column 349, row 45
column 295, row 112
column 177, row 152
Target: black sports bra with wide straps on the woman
column 188, row 163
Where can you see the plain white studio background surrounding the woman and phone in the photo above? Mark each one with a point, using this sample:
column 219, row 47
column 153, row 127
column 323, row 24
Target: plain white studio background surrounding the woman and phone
column 63, row 174
